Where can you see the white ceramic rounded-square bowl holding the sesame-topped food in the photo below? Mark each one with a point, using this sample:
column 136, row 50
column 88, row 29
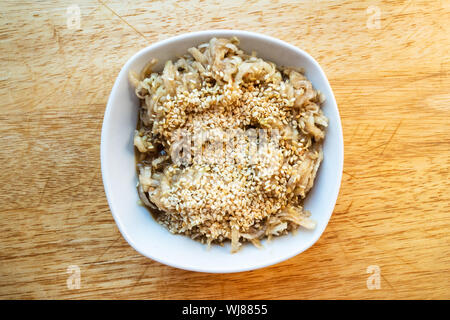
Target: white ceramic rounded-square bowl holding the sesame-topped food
column 119, row 176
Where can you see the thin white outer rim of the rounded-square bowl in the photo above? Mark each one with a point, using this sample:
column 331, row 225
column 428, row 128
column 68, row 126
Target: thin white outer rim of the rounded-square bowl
column 105, row 125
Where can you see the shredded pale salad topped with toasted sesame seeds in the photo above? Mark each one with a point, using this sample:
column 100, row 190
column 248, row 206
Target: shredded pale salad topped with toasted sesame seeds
column 227, row 144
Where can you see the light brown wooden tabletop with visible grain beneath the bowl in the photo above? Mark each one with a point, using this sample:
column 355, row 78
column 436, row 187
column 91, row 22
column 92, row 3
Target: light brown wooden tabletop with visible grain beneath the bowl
column 392, row 86
